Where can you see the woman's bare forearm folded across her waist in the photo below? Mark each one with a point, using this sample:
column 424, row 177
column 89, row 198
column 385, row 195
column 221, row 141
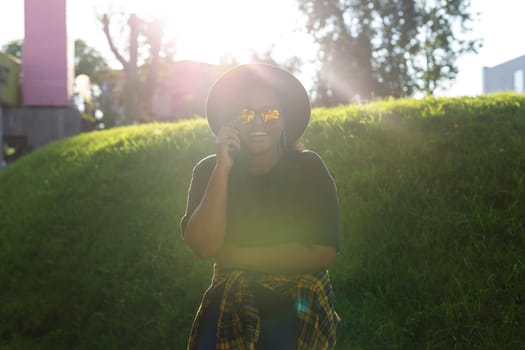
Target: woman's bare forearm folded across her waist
column 292, row 257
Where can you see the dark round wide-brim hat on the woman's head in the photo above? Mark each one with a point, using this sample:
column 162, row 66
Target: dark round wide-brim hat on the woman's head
column 223, row 99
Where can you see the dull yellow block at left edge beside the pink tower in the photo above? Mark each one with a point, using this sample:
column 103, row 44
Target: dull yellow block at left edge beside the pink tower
column 9, row 80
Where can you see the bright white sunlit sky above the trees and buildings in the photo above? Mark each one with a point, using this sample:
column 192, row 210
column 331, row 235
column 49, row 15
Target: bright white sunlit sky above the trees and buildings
column 204, row 30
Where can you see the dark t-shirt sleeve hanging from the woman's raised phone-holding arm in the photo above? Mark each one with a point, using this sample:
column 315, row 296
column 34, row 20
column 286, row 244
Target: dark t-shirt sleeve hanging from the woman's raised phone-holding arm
column 199, row 183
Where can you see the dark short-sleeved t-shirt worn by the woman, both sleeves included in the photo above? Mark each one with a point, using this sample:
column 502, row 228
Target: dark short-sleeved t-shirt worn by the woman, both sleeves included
column 296, row 201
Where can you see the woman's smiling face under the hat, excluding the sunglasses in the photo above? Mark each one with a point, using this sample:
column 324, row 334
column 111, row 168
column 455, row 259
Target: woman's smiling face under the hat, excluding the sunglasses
column 259, row 137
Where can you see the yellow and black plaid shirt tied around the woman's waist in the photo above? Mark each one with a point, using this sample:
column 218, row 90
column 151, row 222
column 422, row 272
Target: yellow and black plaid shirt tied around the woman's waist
column 238, row 327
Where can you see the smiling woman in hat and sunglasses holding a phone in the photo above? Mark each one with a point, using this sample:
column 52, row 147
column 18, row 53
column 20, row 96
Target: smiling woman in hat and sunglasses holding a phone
column 268, row 214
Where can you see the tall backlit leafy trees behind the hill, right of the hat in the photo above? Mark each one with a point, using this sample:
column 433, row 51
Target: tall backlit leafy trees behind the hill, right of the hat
column 374, row 48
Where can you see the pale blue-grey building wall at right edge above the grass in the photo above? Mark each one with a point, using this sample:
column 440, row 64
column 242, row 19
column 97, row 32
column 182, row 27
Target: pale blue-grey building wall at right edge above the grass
column 505, row 76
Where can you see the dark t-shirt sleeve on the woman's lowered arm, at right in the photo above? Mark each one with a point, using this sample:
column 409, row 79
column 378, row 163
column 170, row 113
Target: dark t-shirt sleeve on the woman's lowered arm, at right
column 321, row 202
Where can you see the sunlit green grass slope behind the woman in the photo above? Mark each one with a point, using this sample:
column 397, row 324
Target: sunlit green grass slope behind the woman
column 432, row 197
